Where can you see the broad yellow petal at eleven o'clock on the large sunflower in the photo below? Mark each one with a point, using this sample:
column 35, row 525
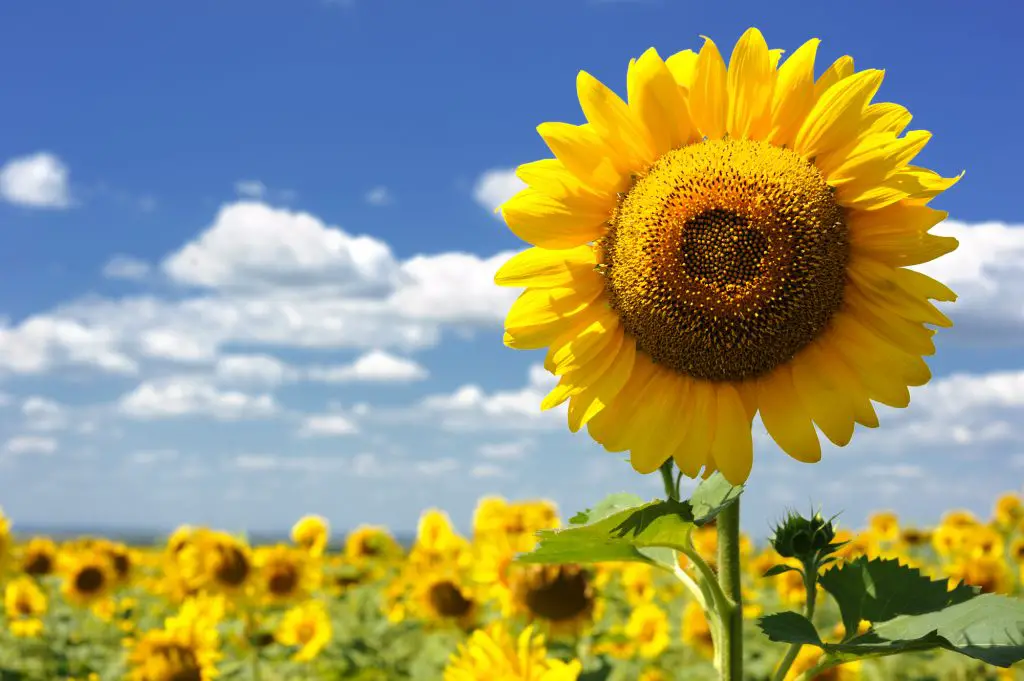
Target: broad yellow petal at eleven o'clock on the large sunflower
column 659, row 103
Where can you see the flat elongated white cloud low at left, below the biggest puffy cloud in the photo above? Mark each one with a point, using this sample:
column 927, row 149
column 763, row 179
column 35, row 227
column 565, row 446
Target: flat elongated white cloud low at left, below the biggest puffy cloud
column 193, row 397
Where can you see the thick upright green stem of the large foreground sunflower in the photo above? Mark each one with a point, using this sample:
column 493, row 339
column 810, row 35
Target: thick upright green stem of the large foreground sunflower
column 731, row 650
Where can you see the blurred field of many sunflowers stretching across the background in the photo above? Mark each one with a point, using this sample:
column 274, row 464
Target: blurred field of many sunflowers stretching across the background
column 207, row 605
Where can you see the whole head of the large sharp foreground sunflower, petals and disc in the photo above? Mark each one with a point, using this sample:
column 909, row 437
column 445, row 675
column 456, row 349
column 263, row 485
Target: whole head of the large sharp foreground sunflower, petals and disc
column 734, row 240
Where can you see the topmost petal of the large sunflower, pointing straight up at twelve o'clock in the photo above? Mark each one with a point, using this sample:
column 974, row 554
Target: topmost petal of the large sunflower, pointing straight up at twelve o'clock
column 750, row 88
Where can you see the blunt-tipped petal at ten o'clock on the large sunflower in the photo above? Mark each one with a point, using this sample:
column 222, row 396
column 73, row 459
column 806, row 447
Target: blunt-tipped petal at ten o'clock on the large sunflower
column 584, row 155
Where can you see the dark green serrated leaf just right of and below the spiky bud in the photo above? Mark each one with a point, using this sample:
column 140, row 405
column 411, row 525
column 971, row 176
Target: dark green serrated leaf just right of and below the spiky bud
column 880, row 590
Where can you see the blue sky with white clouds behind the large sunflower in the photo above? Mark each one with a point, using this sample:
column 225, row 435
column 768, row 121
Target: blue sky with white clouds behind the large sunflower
column 248, row 251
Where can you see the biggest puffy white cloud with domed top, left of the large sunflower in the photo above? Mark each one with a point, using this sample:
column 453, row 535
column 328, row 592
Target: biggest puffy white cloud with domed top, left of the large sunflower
column 252, row 245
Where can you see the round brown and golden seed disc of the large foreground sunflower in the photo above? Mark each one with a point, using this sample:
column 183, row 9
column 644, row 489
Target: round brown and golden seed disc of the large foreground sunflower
column 727, row 259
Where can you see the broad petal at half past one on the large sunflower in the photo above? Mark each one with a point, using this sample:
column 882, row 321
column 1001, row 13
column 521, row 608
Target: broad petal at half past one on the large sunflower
column 835, row 119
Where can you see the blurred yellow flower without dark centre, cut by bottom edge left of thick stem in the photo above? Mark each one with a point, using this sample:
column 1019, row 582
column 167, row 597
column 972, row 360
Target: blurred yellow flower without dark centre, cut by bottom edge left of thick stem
column 493, row 654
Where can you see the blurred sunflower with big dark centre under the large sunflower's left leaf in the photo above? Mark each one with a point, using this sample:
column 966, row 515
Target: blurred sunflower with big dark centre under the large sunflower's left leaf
column 561, row 598
